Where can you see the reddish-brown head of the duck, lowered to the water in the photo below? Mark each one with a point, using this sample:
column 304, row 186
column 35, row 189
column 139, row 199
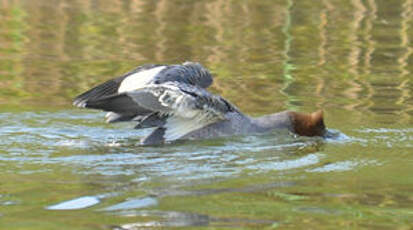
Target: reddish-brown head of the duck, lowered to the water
column 305, row 124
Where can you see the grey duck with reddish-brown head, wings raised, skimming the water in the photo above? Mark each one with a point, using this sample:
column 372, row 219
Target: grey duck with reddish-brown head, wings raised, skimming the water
column 174, row 101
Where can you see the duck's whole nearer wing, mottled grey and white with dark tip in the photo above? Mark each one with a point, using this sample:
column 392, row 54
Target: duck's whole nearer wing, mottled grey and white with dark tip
column 176, row 107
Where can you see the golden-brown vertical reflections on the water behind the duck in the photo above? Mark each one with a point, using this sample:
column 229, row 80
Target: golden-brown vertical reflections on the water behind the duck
column 93, row 42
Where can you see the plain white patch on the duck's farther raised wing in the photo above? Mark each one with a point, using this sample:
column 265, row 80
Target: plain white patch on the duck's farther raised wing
column 139, row 79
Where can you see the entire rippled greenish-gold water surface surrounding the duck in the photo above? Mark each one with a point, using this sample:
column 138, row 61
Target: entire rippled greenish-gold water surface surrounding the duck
column 64, row 167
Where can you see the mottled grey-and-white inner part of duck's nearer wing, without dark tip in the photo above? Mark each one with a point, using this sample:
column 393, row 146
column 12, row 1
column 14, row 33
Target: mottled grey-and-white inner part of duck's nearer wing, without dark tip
column 186, row 108
